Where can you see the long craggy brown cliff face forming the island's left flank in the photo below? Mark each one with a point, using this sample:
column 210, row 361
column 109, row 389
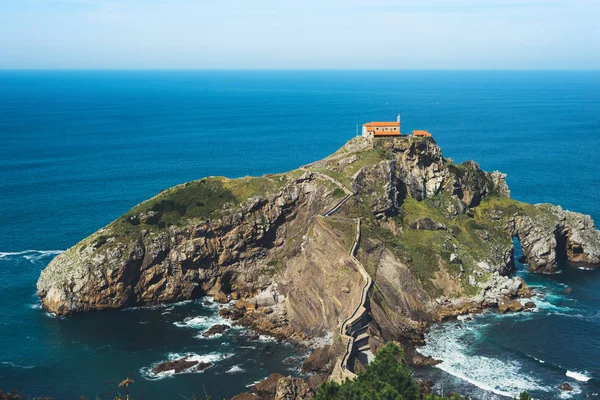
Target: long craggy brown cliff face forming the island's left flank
column 136, row 261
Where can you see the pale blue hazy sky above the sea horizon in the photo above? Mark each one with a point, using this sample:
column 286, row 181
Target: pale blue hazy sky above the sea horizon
column 298, row 34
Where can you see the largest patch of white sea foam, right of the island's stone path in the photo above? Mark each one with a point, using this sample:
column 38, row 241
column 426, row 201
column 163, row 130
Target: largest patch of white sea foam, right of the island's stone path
column 502, row 377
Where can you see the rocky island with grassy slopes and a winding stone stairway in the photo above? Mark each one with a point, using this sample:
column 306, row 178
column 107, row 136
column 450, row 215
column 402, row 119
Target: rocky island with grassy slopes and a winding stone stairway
column 366, row 246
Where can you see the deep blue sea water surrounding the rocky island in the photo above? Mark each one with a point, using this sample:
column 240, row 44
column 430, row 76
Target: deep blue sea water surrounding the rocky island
column 79, row 148
